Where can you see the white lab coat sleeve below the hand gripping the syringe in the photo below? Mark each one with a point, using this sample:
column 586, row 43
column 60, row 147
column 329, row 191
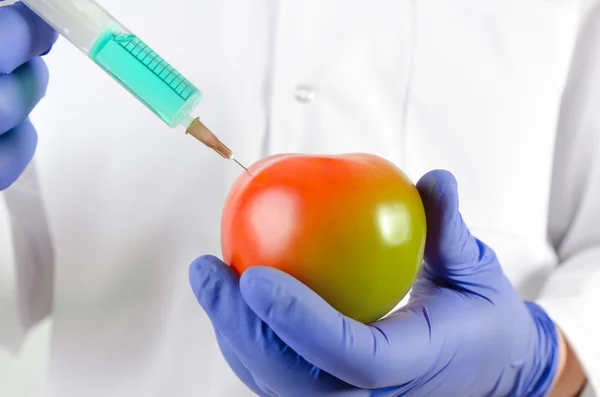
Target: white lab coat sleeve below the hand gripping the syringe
column 26, row 260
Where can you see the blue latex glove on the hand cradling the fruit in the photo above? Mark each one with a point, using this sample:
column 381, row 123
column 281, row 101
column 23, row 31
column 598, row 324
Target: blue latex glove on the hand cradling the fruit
column 465, row 331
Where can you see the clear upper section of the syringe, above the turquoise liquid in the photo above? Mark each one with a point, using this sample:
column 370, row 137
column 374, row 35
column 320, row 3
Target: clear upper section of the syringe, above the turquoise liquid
column 79, row 21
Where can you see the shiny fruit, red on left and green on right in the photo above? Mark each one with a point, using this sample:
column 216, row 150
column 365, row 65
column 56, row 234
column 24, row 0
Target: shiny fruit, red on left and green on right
column 351, row 227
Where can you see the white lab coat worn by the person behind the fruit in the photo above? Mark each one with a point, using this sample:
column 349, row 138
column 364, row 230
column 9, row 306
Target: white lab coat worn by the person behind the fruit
column 101, row 229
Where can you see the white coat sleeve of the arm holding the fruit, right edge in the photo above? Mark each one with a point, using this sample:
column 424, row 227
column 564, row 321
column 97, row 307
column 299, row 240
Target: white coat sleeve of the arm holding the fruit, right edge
column 571, row 294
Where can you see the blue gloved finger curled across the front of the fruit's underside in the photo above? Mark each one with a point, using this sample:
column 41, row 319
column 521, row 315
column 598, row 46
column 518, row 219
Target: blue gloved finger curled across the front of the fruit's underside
column 366, row 356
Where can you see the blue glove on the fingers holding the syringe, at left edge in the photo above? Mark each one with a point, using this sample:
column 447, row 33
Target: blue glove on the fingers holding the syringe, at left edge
column 23, row 79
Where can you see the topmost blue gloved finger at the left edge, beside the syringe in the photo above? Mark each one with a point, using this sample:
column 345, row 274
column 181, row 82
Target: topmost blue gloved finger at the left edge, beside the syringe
column 23, row 36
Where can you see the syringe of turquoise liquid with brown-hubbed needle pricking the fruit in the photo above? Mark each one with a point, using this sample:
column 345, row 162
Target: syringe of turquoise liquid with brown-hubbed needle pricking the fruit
column 131, row 63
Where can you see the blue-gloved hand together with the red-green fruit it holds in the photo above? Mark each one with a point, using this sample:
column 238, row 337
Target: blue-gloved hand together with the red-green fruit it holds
column 318, row 249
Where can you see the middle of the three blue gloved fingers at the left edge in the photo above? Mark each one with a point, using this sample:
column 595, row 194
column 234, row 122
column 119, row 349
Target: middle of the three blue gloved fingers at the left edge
column 20, row 92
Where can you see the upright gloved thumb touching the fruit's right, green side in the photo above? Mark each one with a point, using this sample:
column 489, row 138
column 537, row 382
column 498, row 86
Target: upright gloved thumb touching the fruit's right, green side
column 451, row 251
